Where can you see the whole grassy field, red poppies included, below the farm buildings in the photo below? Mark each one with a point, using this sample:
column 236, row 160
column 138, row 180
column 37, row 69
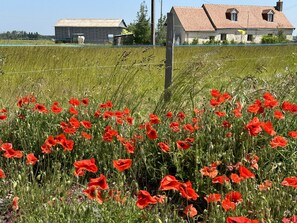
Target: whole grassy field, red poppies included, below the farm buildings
column 85, row 135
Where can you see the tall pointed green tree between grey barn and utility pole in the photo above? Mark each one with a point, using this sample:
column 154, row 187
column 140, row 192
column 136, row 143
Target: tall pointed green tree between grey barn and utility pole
column 141, row 27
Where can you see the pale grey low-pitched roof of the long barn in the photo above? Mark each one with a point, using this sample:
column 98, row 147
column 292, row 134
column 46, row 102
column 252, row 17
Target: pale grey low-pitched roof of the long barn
column 91, row 23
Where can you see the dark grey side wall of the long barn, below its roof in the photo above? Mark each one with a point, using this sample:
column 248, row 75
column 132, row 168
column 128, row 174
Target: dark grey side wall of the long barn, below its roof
column 92, row 34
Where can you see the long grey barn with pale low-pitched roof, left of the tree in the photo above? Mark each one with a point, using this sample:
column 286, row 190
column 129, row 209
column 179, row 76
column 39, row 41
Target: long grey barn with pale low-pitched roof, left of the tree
column 98, row 31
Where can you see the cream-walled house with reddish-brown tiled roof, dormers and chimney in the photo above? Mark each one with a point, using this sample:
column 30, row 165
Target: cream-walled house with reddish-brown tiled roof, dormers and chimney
column 238, row 23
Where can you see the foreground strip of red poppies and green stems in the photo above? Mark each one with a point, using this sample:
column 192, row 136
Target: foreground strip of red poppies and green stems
column 228, row 157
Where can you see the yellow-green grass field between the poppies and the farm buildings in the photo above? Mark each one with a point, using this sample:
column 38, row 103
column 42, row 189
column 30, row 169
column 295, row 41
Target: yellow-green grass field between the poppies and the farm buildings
column 57, row 72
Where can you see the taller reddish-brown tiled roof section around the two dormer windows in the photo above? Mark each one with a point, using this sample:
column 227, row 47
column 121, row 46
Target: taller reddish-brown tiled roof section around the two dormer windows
column 248, row 17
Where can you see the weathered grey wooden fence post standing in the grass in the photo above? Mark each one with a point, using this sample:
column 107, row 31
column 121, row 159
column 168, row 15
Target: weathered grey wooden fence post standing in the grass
column 169, row 57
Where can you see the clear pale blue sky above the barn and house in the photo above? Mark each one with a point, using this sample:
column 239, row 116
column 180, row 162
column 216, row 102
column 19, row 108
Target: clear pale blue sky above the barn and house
column 40, row 16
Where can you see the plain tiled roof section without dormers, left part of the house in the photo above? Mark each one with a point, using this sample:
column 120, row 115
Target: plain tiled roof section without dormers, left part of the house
column 193, row 19
